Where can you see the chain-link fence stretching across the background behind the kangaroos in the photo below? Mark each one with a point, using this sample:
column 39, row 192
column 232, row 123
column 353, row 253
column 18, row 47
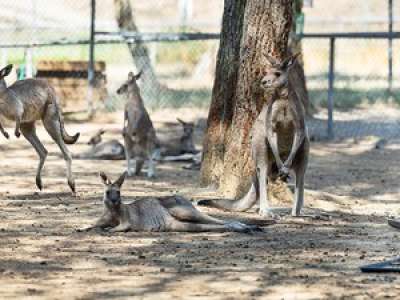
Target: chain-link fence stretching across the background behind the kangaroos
column 185, row 69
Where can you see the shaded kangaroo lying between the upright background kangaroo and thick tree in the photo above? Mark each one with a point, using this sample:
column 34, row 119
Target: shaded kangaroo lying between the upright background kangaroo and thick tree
column 184, row 144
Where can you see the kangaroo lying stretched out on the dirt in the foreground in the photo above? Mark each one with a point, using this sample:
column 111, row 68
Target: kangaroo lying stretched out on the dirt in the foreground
column 172, row 213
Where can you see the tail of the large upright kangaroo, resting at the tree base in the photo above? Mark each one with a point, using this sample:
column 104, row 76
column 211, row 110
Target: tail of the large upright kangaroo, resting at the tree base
column 242, row 204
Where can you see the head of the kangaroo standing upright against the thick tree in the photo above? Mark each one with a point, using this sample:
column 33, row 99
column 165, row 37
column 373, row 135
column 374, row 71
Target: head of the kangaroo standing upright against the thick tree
column 277, row 73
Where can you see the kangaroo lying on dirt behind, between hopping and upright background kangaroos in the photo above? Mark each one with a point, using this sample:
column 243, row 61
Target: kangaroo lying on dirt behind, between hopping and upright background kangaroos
column 110, row 150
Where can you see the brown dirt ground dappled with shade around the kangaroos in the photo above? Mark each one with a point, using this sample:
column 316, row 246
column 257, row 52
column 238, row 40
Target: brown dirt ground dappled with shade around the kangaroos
column 42, row 256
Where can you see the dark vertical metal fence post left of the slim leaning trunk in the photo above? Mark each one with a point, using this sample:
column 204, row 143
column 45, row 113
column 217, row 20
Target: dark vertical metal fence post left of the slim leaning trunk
column 91, row 71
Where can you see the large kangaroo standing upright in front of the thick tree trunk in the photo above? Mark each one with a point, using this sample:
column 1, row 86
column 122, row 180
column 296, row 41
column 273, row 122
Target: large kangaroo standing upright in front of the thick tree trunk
column 280, row 143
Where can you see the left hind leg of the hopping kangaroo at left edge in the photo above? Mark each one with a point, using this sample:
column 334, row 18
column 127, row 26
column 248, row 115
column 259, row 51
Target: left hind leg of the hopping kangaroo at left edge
column 29, row 132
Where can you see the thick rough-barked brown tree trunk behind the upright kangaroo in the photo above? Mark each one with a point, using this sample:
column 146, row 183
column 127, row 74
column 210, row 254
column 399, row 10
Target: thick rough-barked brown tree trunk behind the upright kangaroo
column 250, row 30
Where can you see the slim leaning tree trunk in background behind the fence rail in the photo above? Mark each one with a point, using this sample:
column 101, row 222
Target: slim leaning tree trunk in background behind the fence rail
column 151, row 86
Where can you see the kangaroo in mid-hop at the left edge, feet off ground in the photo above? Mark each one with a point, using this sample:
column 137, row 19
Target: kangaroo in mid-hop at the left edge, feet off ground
column 27, row 101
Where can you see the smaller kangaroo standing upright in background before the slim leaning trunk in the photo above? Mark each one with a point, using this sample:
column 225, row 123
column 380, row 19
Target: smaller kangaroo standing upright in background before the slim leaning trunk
column 139, row 135
